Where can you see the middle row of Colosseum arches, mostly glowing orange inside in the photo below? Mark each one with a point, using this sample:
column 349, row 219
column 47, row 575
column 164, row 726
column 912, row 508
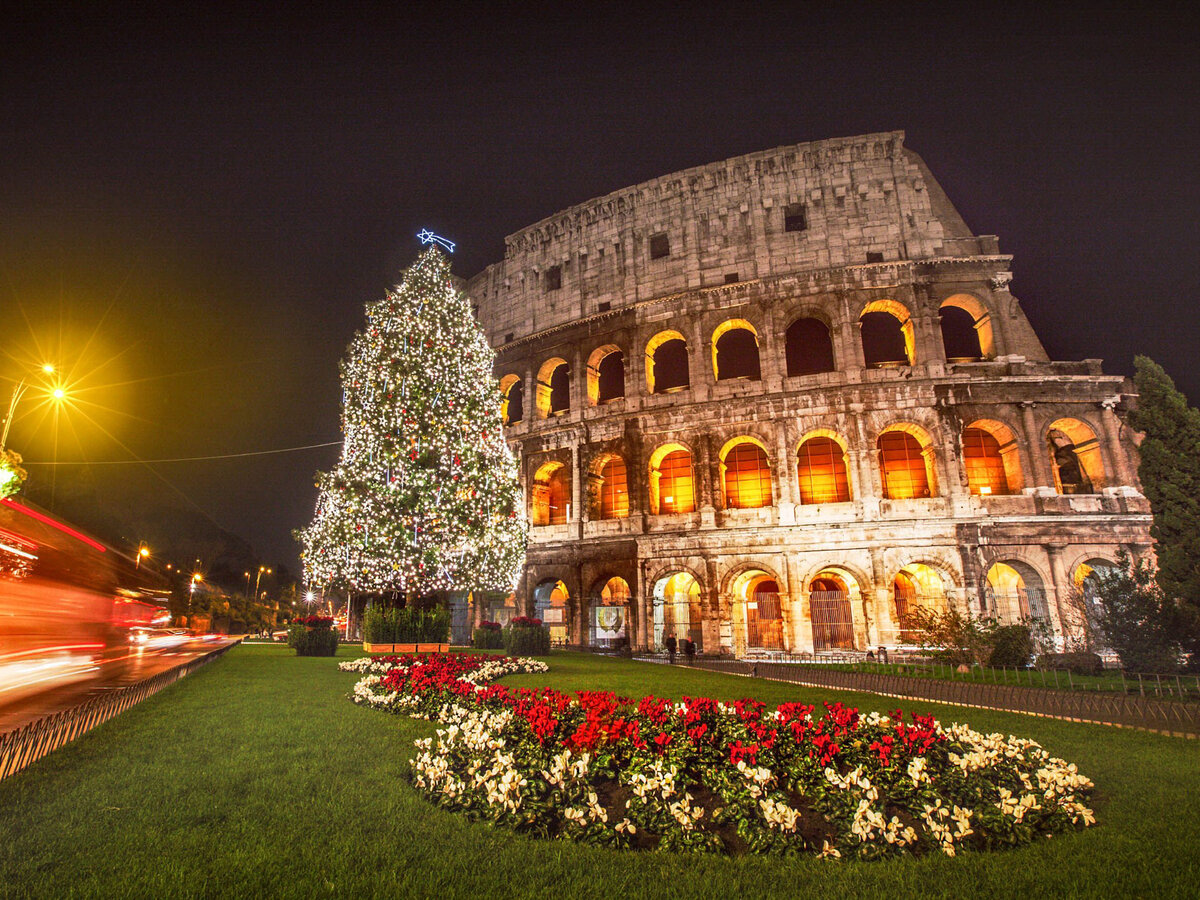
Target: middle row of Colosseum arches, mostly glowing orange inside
column 905, row 454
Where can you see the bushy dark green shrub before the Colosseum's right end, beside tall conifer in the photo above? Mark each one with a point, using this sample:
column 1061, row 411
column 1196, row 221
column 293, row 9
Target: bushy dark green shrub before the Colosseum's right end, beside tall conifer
column 1141, row 622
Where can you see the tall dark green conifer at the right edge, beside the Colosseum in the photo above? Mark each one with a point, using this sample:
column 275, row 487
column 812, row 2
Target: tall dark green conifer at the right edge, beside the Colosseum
column 1171, row 478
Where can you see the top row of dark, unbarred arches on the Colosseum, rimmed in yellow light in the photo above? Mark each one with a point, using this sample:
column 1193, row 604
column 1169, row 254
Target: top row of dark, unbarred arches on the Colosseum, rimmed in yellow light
column 886, row 331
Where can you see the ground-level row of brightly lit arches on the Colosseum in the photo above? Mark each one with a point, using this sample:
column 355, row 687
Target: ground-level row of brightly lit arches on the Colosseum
column 763, row 617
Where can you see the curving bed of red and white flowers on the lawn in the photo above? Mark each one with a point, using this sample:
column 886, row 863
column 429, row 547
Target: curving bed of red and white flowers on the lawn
column 706, row 776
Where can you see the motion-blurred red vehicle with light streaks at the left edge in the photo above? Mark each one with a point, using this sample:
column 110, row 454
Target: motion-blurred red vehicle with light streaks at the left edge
column 67, row 601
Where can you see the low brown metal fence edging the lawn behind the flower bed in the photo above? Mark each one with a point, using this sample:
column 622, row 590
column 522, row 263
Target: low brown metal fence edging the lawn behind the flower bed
column 1102, row 707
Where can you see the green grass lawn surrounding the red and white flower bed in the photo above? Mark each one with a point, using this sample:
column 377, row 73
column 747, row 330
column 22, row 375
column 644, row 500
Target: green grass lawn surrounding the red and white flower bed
column 256, row 777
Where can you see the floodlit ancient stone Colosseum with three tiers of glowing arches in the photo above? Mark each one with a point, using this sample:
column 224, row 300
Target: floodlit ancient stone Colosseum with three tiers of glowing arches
column 778, row 403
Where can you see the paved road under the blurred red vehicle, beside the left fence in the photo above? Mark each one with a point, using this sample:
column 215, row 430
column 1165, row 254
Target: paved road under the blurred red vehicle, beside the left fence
column 129, row 668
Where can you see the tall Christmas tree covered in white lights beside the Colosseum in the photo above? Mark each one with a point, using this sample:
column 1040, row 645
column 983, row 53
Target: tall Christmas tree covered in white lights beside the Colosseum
column 425, row 496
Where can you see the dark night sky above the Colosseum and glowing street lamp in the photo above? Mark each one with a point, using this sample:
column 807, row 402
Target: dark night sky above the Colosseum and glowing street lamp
column 195, row 206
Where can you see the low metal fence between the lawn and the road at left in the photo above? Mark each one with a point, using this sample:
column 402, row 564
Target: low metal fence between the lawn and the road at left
column 41, row 737
